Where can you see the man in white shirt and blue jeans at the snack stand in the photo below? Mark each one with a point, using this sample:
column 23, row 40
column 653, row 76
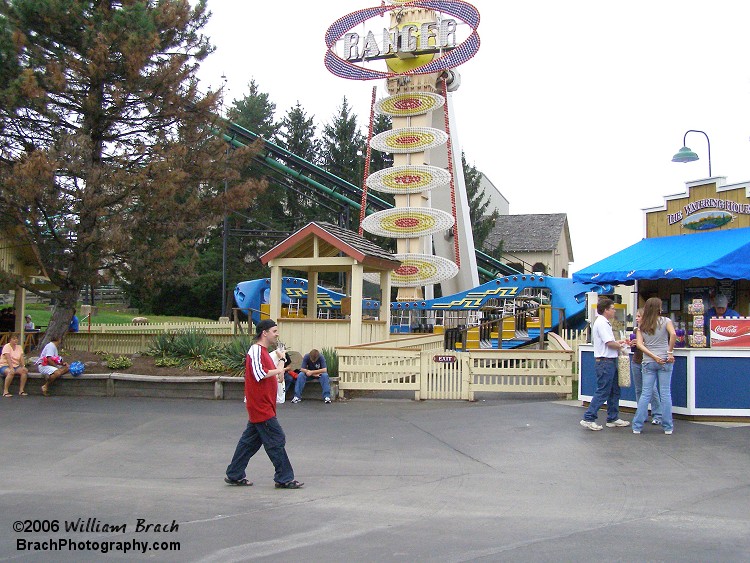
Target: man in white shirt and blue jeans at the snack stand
column 606, row 350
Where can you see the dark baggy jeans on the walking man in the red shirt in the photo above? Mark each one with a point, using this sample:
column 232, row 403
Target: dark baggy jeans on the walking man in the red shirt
column 269, row 435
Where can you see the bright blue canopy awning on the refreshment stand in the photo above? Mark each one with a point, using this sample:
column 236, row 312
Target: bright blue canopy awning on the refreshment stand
column 719, row 255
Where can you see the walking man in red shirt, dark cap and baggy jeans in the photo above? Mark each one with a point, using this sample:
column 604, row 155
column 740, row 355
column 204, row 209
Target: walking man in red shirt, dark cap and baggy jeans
column 262, row 376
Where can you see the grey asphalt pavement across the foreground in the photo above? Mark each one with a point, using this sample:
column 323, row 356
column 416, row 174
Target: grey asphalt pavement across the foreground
column 103, row 479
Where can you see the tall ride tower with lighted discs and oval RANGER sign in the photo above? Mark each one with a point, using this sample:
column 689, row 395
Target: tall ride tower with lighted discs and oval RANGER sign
column 424, row 41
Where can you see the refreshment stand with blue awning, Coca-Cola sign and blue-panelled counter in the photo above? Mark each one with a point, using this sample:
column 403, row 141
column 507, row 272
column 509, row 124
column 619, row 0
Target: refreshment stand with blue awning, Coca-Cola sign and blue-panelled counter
column 697, row 247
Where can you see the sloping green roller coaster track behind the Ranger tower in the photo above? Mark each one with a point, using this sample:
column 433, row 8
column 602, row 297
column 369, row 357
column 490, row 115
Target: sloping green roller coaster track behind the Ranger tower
column 302, row 171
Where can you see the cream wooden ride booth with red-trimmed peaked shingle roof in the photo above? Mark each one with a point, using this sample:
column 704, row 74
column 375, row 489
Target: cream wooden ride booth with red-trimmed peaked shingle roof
column 324, row 247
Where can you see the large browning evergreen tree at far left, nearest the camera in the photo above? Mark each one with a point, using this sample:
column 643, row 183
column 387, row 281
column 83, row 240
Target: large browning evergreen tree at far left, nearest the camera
column 108, row 156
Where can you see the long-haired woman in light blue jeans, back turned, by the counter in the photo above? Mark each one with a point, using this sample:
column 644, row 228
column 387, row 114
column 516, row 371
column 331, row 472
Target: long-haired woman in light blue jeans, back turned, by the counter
column 655, row 338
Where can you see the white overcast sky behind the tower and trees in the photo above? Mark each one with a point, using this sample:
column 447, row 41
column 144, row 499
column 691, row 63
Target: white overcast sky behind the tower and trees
column 568, row 107
